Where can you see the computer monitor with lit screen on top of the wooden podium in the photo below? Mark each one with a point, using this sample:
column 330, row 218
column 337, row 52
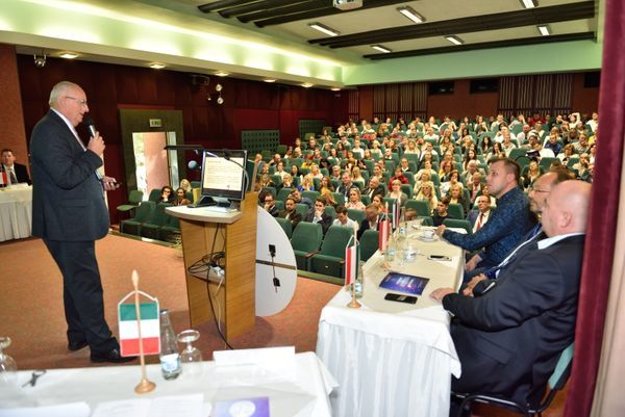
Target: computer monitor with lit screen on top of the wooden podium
column 223, row 176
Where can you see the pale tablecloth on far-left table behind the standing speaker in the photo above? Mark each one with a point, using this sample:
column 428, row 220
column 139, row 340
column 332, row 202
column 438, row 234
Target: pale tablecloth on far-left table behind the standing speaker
column 15, row 212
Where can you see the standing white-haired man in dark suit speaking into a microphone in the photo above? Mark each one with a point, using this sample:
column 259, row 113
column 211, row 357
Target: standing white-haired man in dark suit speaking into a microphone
column 69, row 214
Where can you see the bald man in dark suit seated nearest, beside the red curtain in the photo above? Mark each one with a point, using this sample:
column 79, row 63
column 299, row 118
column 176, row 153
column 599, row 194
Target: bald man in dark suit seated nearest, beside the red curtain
column 509, row 338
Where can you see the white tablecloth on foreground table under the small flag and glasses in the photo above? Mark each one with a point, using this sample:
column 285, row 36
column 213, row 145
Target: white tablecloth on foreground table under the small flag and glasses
column 305, row 394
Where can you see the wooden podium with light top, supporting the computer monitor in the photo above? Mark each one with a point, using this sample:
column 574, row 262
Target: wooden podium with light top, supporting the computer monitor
column 205, row 232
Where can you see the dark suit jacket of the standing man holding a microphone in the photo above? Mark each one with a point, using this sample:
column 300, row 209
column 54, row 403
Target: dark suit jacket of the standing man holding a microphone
column 68, row 200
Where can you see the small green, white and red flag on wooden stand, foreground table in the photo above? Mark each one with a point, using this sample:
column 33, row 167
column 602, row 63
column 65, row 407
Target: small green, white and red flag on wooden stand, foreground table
column 139, row 330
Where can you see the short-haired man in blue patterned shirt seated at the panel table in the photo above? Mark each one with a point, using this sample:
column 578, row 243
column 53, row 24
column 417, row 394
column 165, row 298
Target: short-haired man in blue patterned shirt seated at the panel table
column 506, row 227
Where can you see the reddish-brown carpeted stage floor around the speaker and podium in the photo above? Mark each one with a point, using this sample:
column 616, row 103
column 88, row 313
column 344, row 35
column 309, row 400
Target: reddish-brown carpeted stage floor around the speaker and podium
column 31, row 304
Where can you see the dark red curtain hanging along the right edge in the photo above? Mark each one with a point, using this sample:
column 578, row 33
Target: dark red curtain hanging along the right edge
column 599, row 252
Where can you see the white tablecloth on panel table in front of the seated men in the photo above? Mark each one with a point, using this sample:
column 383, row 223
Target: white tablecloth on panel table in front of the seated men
column 391, row 358
